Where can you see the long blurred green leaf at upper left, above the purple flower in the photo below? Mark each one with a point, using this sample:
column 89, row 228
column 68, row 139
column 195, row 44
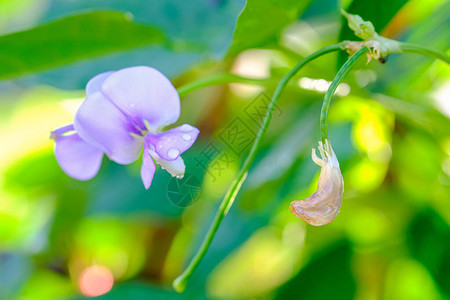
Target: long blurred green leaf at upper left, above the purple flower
column 71, row 39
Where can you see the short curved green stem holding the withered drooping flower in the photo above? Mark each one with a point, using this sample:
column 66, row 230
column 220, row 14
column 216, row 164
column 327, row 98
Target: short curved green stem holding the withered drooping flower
column 327, row 99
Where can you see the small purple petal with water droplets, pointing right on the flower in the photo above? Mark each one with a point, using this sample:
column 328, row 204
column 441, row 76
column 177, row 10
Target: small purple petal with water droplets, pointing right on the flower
column 170, row 144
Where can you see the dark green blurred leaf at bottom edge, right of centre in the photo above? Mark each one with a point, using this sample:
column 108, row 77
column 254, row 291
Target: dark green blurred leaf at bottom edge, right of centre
column 328, row 276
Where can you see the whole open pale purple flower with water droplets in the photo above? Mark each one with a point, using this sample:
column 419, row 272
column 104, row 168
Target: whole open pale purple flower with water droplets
column 125, row 111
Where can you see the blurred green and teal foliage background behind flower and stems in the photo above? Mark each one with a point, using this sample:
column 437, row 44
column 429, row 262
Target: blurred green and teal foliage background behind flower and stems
column 109, row 237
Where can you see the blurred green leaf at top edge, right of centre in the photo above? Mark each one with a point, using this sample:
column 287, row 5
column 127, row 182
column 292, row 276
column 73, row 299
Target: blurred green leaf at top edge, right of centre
column 261, row 21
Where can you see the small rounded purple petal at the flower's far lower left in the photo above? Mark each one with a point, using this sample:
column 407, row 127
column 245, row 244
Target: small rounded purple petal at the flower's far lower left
column 76, row 157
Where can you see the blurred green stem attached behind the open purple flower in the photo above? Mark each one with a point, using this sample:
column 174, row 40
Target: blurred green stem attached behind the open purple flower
column 218, row 79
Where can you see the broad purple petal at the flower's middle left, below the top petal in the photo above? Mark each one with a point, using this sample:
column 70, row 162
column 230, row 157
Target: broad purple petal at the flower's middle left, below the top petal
column 101, row 124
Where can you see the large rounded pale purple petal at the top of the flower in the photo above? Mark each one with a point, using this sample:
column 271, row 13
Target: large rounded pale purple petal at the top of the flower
column 145, row 95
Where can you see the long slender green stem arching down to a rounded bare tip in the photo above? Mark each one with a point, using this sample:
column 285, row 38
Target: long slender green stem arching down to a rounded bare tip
column 180, row 283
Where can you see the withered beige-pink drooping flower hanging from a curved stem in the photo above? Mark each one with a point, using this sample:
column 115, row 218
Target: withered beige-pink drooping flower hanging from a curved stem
column 323, row 206
